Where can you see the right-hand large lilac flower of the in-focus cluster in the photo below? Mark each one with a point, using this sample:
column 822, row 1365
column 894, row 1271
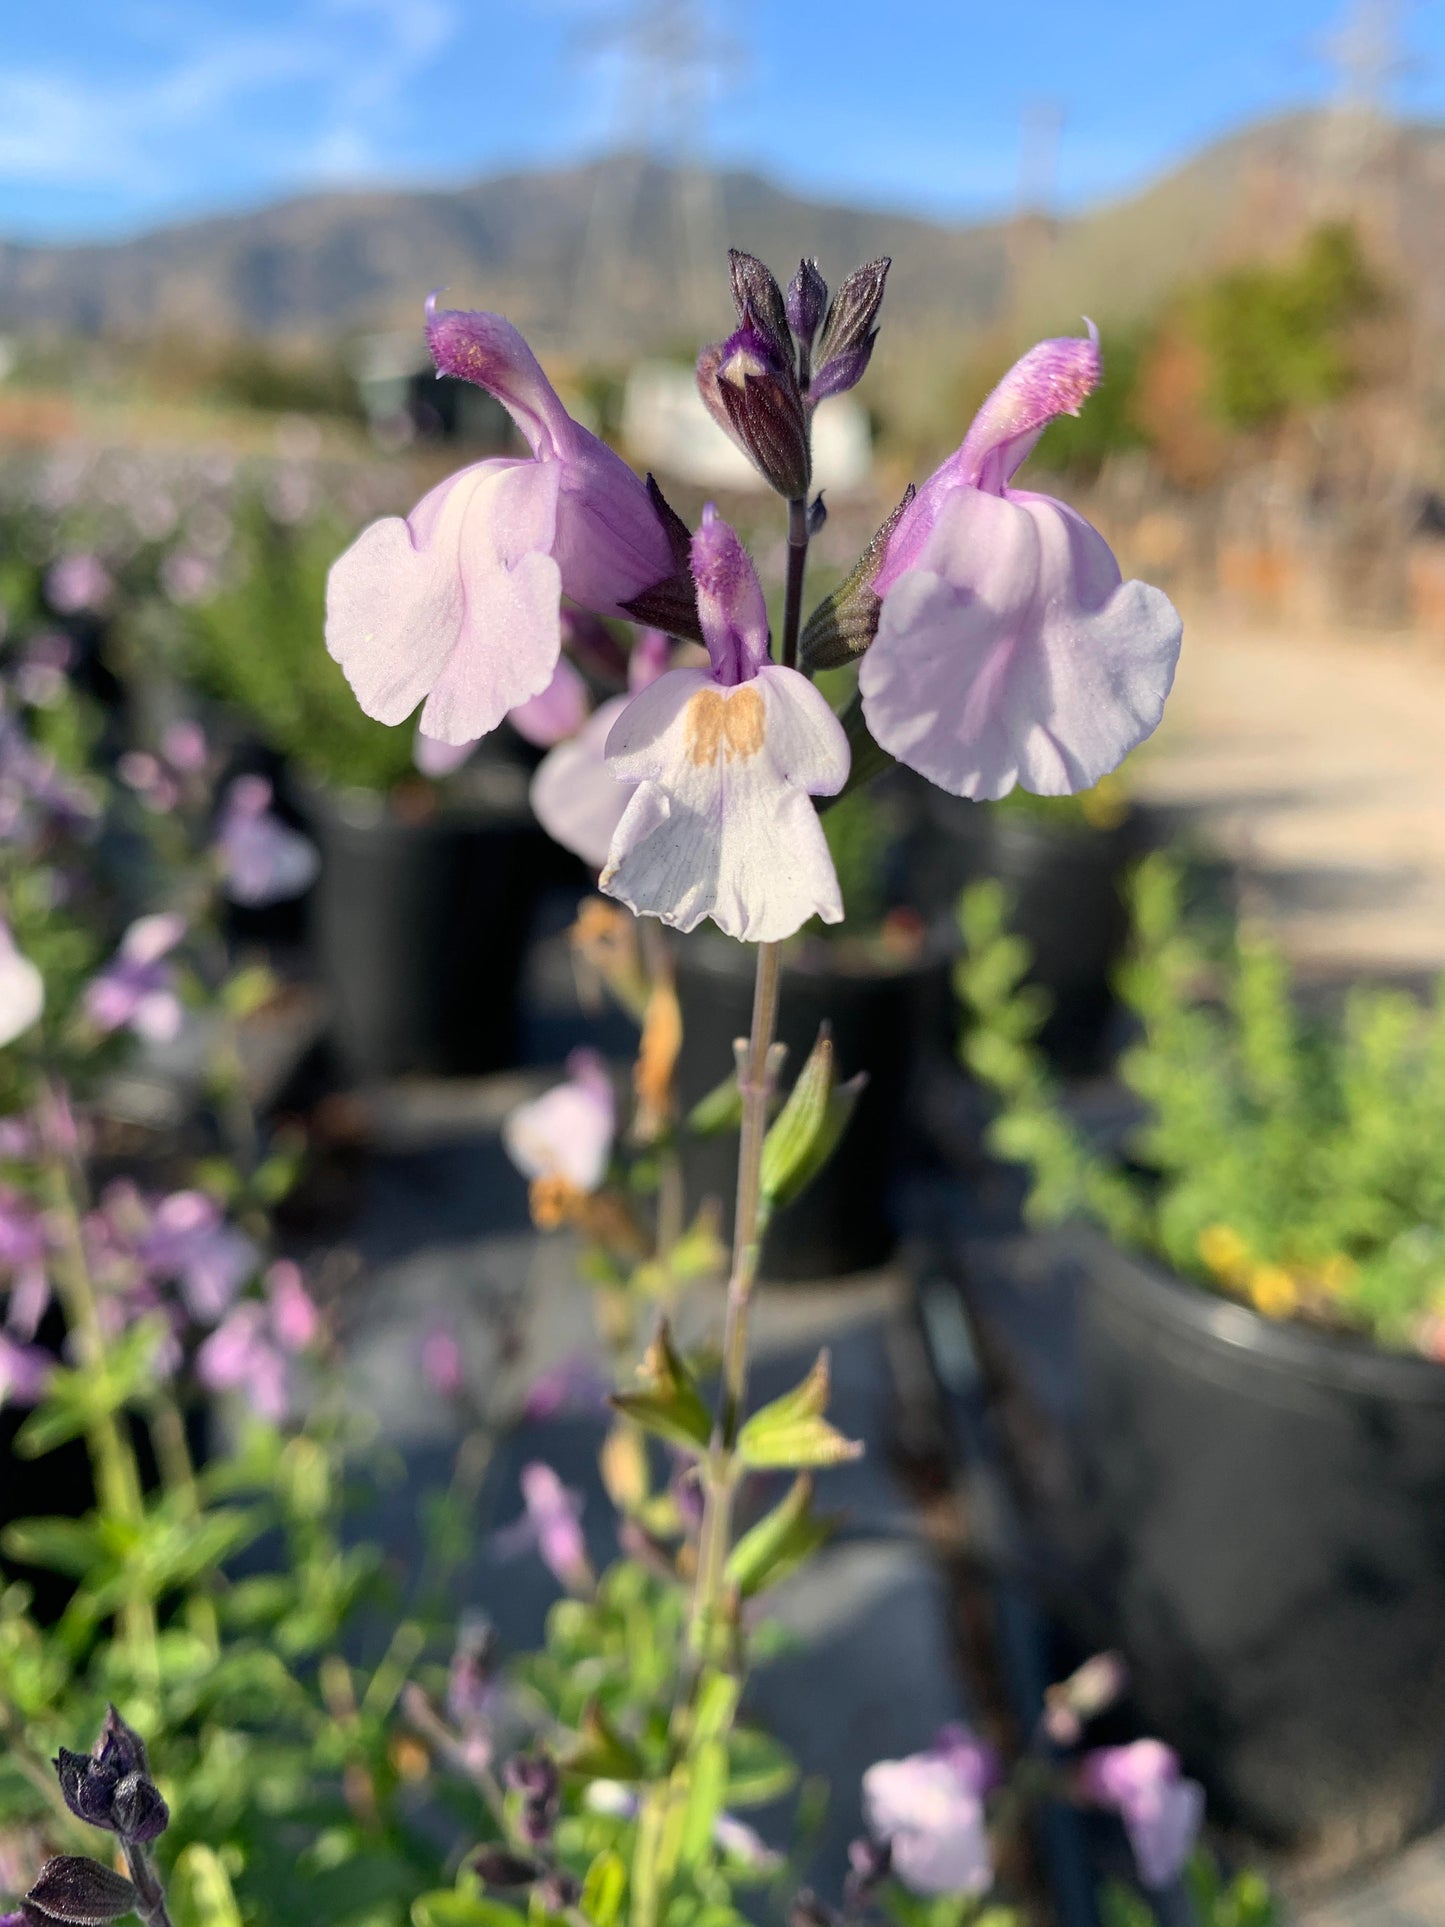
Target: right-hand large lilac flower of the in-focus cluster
column 1009, row 647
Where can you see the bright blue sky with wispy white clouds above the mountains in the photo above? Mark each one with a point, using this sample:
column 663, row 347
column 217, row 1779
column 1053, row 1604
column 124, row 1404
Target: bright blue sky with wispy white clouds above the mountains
column 117, row 115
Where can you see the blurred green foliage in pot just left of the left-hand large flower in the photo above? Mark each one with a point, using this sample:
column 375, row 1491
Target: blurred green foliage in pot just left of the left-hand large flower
column 257, row 647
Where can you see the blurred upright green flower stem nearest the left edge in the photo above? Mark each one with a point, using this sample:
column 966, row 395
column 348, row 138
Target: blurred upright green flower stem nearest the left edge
column 113, row 1460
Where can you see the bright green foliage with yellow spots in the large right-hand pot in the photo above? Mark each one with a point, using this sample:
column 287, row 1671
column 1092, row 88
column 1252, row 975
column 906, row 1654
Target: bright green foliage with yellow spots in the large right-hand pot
column 1290, row 1161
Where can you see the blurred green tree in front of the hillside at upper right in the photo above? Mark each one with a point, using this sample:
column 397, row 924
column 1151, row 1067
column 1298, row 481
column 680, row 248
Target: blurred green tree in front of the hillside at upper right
column 1278, row 336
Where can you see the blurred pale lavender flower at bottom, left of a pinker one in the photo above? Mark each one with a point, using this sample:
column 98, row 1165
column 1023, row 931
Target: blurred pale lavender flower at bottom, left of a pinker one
column 930, row 1812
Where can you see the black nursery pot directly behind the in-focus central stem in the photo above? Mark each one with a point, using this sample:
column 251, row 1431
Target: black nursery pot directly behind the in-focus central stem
column 880, row 1016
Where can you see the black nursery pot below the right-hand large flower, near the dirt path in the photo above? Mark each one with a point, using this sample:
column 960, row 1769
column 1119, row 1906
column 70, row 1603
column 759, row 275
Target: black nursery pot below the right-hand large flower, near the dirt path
column 1068, row 903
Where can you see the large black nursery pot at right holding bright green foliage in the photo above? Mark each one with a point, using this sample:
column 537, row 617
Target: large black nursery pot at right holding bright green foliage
column 1261, row 1516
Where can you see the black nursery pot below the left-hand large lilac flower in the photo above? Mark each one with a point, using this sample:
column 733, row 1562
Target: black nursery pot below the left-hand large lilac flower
column 421, row 928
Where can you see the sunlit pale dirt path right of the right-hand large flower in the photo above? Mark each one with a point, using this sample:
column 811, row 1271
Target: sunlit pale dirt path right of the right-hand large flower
column 1319, row 764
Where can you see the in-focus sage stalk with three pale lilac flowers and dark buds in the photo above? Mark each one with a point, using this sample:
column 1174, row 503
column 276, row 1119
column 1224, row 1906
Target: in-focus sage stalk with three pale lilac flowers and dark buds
column 995, row 645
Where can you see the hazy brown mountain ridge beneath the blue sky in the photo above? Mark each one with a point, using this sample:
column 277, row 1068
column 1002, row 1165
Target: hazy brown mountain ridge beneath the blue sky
column 327, row 265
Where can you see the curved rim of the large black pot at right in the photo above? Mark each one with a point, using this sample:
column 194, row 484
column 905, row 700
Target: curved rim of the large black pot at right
column 1228, row 1329
